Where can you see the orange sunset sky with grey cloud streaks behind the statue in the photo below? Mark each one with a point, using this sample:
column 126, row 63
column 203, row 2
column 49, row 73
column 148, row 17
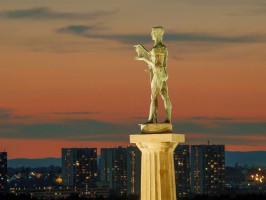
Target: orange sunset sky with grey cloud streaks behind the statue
column 68, row 77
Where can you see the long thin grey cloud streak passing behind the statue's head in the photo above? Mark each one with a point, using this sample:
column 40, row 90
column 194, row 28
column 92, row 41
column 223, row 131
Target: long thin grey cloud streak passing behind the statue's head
column 87, row 31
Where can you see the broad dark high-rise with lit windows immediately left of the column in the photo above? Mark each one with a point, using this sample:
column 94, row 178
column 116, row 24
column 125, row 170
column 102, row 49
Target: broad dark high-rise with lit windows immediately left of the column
column 120, row 167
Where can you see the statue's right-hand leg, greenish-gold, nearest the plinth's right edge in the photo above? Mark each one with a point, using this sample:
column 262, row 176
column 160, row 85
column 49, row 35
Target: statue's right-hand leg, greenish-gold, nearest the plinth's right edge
column 167, row 102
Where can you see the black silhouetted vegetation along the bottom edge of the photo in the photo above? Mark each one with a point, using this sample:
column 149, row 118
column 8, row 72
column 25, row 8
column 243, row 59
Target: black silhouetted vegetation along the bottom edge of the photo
column 134, row 197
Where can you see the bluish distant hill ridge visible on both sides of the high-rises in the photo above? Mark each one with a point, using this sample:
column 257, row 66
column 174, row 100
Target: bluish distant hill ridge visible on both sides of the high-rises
column 258, row 158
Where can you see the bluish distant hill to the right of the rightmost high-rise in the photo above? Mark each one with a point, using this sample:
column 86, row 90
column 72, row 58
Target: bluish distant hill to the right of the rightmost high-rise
column 258, row 158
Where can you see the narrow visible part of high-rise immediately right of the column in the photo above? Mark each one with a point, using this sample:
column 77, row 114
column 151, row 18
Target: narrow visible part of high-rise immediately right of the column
column 182, row 171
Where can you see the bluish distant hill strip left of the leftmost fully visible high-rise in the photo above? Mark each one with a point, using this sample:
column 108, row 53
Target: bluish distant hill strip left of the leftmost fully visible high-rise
column 33, row 163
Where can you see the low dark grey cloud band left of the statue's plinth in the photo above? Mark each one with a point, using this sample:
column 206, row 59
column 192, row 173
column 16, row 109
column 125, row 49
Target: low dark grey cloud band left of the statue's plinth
column 82, row 129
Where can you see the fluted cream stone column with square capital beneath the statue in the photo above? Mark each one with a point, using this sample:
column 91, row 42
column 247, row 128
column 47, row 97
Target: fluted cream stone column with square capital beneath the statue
column 157, row 163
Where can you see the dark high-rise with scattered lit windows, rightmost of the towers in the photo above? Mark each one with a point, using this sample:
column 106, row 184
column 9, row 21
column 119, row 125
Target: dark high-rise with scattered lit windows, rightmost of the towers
column 207, row 169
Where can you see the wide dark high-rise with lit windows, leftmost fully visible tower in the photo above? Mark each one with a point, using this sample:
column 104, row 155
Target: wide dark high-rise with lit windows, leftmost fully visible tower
column 79, row 167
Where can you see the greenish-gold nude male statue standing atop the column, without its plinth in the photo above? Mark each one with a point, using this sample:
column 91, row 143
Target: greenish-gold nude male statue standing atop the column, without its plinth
column 157, row 61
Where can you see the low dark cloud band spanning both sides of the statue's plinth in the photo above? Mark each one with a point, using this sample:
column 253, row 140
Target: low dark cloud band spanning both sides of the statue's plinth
column 227, row 132
